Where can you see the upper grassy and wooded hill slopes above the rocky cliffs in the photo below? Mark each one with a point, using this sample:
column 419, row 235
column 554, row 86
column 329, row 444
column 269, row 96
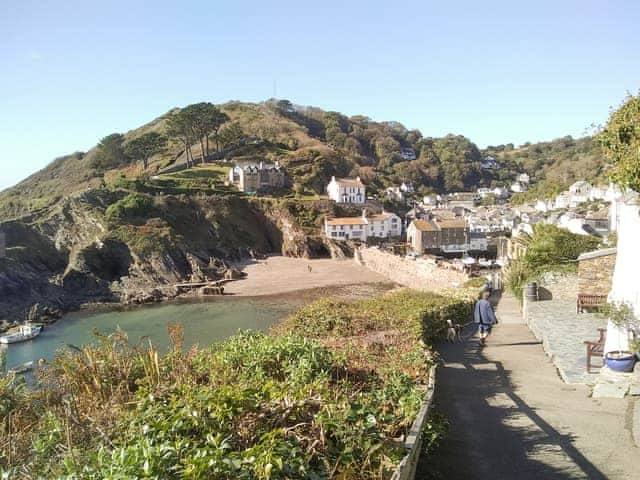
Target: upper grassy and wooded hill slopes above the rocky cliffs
column 314, row 145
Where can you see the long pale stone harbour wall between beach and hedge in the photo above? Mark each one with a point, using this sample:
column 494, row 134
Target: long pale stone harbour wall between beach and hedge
column 418, row 274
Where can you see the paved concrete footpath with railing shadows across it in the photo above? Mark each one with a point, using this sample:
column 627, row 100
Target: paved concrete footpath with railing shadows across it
column 512, row 417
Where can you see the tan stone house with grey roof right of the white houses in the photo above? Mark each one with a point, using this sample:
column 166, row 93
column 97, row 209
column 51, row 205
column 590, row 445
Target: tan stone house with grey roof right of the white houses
column 436, row 236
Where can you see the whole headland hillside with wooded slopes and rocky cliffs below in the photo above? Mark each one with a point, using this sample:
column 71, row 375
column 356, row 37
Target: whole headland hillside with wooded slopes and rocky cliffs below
column 99, row 226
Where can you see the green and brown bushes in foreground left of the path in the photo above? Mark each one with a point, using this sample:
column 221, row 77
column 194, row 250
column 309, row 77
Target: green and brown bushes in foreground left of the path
column 326, row 399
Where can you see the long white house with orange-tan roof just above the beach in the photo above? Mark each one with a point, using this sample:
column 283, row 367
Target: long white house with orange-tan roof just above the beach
column 384, row 225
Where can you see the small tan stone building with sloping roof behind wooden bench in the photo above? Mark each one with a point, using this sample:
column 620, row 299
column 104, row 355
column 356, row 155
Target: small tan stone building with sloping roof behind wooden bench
column 595, row 271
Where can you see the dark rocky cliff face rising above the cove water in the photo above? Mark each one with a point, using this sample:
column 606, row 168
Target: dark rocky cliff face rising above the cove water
column 77, row 252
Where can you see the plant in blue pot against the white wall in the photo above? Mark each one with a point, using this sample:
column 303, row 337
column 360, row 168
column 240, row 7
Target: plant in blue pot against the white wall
column 622, row 316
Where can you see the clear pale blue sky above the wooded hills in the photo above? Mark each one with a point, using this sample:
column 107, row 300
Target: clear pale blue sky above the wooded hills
column 496, row 71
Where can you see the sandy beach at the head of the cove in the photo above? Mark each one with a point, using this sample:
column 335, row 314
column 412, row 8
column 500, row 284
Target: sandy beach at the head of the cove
column 278, row 274
